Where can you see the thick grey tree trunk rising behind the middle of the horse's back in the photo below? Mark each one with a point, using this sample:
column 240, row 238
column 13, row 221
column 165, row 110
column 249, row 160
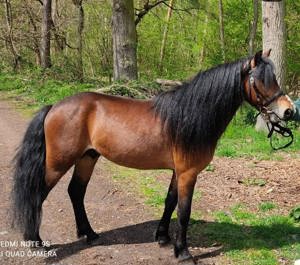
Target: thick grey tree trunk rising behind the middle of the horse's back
column 124, row 40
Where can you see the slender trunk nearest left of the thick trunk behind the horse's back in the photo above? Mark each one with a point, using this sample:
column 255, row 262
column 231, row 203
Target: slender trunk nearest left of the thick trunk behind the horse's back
column 80, row 27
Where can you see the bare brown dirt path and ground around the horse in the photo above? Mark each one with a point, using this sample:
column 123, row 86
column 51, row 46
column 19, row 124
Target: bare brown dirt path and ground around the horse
column 125, row 225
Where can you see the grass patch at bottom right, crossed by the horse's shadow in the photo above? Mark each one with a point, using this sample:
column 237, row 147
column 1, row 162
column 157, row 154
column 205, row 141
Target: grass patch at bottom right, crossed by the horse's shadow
column 250, row 238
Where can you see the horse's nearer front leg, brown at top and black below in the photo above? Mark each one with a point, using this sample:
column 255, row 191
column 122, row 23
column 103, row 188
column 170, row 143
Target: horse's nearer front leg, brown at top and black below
column 185, row 185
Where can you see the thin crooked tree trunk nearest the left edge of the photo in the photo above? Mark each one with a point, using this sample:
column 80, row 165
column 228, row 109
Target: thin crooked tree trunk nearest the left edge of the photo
column 9, row 37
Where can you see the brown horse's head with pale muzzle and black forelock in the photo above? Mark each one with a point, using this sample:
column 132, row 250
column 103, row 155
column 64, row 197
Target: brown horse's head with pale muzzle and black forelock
column 263, row 92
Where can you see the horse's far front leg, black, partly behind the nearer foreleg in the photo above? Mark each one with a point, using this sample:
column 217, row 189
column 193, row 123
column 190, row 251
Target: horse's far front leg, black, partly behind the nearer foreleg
column 162, row 233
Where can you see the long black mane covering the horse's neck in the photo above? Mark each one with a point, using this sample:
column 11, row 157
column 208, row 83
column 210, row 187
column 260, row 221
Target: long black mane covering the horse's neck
column 196, row 113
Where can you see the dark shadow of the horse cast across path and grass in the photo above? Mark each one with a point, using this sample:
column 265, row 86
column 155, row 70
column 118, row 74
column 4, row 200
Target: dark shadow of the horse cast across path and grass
column 227, row 236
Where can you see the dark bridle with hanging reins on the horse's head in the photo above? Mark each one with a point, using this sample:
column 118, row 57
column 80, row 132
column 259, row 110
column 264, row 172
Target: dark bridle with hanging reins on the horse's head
column 262, row 106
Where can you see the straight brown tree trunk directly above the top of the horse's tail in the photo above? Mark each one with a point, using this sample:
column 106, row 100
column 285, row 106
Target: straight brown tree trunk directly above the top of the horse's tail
column 46, row 35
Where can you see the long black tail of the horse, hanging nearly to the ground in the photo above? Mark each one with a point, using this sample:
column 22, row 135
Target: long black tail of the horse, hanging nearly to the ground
column 29, row 187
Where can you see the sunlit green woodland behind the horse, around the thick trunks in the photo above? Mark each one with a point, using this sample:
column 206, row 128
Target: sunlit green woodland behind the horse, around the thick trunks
column 175, row 39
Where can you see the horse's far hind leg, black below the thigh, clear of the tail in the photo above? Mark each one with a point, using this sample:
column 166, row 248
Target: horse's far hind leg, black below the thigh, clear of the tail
column 77, row 188
